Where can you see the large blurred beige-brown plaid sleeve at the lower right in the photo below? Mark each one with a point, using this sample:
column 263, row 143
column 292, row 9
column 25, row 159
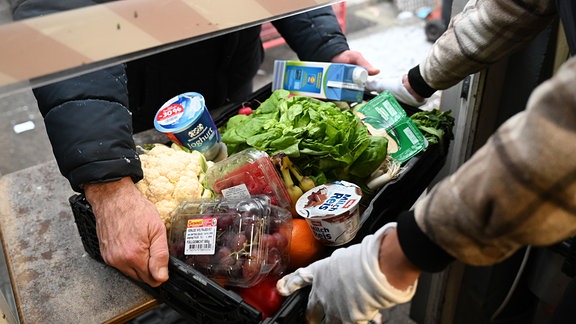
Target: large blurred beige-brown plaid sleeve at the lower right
column 518, row 189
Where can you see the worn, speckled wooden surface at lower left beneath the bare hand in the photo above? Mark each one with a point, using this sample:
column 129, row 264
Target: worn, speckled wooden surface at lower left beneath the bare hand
column 53, row 279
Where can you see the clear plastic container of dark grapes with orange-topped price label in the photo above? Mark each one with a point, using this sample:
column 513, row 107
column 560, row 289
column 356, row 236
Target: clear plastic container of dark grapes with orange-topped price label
column 235, row 242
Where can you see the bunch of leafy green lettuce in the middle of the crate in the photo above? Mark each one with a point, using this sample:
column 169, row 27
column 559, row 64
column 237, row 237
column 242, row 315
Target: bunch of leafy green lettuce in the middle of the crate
column 321, row 139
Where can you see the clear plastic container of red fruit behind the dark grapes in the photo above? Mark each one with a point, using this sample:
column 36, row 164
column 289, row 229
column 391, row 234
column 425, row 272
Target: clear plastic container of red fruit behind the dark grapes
column 248, row 172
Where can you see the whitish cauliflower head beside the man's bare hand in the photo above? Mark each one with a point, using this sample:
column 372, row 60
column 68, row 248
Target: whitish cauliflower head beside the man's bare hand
column 172, row 175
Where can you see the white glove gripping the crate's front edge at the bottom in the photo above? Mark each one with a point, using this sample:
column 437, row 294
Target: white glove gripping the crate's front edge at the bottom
column 348, row 286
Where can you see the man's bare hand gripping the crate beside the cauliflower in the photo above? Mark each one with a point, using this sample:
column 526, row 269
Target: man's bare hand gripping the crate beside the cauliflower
column 131, row 233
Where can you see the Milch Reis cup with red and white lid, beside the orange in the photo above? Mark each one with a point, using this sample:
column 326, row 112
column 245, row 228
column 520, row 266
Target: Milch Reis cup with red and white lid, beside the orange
column 332, row 211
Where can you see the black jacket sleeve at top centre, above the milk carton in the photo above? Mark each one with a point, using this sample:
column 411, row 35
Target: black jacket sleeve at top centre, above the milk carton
column 314, row 35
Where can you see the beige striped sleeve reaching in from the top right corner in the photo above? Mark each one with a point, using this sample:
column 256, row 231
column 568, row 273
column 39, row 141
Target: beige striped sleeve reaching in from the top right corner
column 483, row 33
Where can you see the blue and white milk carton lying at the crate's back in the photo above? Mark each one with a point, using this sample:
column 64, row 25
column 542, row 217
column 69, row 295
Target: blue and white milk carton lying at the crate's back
column 334, row 81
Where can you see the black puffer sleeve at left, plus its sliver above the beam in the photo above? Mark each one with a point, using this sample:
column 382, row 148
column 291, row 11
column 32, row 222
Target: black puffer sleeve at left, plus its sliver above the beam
column 87, row 119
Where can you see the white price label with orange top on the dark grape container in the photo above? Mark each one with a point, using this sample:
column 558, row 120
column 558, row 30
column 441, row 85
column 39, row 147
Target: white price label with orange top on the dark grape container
column 201, row 236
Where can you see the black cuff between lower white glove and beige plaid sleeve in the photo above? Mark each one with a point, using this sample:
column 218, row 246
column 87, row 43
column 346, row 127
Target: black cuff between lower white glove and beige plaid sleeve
column 418, row 248
